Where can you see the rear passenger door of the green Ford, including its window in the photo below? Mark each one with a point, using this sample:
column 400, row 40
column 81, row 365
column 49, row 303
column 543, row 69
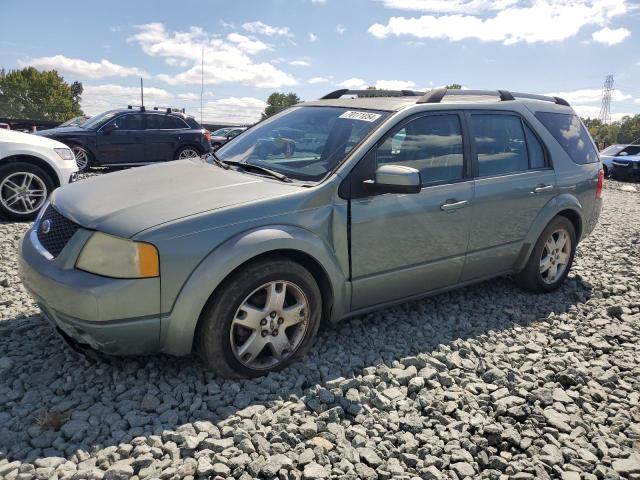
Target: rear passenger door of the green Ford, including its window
column 514, row 180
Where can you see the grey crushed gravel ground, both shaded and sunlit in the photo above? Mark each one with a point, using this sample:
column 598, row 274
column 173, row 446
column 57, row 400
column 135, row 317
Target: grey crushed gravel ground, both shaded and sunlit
column 483, row 382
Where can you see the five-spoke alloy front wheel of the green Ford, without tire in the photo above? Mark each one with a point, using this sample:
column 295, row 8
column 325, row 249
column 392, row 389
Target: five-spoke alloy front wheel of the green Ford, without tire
column 269, row 325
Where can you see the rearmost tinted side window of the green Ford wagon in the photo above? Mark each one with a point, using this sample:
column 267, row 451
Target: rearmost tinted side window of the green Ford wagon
column 568, row 130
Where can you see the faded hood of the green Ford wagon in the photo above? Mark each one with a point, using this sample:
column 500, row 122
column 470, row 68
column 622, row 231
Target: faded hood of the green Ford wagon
column 127, row 202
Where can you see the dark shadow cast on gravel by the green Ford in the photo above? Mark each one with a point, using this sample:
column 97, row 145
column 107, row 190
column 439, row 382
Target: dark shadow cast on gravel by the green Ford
column 53, row 402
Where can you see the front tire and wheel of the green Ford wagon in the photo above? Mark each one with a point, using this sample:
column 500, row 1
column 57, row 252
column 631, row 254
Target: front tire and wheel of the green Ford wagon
column 225, row 345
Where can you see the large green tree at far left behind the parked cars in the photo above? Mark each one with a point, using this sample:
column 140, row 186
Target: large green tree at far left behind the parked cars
column 30, row 93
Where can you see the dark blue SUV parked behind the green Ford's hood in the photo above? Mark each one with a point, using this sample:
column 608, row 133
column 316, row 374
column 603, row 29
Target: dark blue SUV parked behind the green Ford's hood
column 133, row 136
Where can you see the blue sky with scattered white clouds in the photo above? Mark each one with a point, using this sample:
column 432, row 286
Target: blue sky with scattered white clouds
column 311, row 47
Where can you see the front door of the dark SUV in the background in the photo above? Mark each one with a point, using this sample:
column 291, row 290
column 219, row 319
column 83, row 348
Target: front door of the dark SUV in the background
column 121, row 141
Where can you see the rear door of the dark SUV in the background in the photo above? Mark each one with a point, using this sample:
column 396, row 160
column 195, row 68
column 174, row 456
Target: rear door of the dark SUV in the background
column 162, row 137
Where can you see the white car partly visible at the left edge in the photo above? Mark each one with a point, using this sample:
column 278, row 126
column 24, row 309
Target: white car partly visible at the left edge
column 31, row 167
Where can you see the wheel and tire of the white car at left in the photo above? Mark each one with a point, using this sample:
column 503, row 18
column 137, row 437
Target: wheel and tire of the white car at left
column 19, row 204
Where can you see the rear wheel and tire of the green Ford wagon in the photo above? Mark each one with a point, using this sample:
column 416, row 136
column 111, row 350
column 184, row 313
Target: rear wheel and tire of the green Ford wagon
column 539, row 278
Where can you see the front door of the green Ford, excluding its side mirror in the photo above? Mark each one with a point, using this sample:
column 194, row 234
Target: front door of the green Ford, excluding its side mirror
column 407, row 244
